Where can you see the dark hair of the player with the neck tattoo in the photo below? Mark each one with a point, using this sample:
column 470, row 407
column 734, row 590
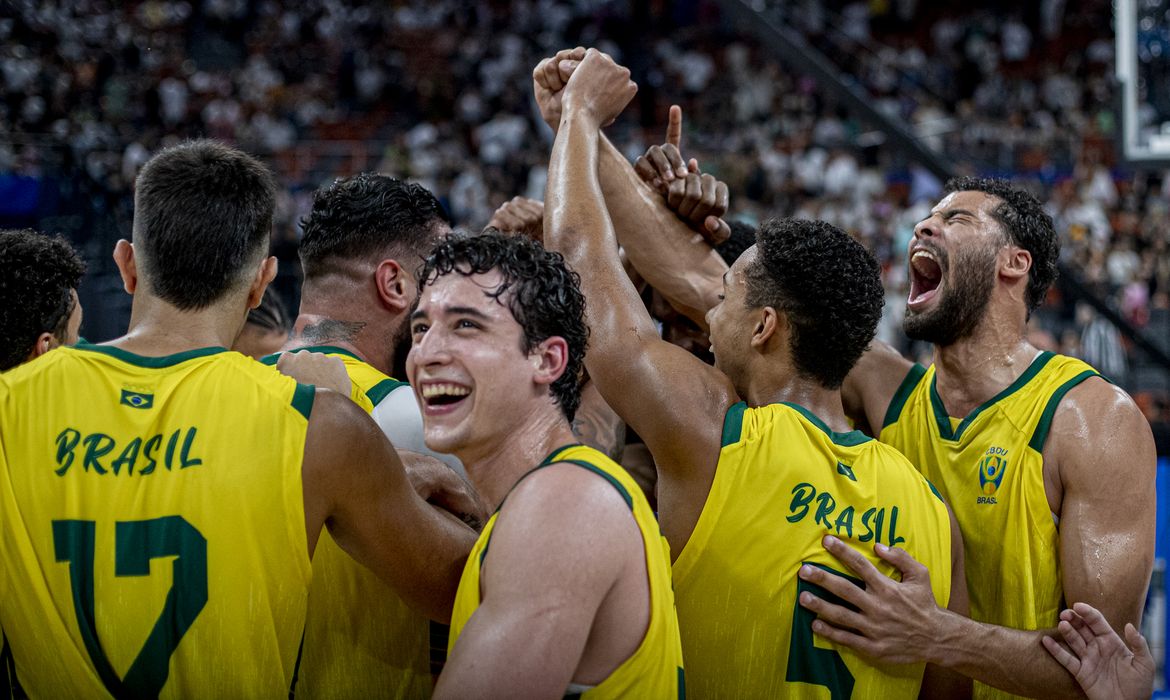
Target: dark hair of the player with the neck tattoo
column 369, row 215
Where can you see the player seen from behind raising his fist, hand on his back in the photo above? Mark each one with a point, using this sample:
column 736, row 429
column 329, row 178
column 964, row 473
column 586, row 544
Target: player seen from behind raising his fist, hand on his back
column 749, row 489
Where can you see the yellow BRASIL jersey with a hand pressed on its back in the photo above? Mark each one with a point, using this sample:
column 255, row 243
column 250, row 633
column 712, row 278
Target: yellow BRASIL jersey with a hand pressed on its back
column 784, row 481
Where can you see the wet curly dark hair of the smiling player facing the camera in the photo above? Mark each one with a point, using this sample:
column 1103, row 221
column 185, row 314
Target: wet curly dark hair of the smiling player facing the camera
column 539, row 289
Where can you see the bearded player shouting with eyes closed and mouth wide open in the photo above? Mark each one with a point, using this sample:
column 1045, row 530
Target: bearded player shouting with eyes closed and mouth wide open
column 1048, row 466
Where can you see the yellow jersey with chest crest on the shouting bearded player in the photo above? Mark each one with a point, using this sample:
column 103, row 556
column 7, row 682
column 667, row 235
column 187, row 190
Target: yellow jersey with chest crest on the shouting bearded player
column 990, row 469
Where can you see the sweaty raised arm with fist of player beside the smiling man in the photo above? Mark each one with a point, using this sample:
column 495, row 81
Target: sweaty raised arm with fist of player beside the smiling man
column 672, row 400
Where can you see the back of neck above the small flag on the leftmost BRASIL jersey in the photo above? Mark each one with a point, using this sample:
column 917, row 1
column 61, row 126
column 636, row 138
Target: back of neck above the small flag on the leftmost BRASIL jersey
column 159, row 330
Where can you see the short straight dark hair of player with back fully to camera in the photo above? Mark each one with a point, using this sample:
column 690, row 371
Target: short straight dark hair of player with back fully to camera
column 203, row 212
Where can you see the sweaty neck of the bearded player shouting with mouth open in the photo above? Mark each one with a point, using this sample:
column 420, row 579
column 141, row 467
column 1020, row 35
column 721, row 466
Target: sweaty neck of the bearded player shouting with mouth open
column 974, row 370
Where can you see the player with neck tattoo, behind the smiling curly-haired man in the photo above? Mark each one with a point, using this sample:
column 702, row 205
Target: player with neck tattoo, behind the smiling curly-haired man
column 362, row 244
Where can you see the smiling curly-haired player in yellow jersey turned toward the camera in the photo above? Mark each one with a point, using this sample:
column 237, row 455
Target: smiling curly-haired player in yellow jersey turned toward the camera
column 568, row 589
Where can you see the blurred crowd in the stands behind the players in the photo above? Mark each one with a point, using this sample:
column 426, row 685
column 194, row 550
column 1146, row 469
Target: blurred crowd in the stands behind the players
column 441, row 92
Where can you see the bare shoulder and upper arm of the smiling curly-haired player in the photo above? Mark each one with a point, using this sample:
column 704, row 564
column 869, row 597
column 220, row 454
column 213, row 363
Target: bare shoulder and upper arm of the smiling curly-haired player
column 542, row 587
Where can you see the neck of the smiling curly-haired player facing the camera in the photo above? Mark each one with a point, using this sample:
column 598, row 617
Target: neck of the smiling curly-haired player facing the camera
column 495, row 468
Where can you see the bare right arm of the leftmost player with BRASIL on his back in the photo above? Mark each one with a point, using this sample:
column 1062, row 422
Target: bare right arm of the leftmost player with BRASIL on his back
column 355, row 484
